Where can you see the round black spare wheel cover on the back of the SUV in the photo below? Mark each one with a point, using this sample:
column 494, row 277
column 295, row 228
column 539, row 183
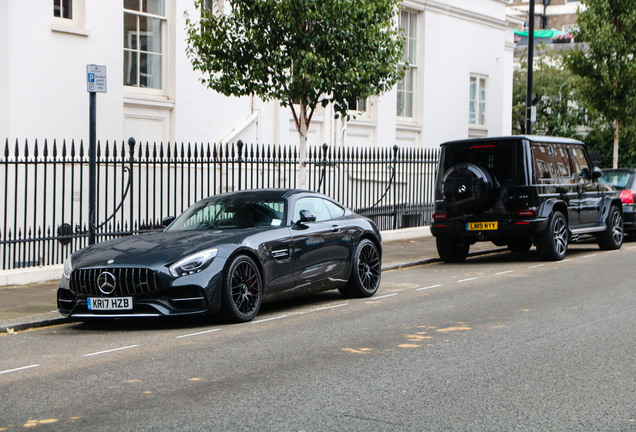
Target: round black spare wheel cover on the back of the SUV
column 467, row 188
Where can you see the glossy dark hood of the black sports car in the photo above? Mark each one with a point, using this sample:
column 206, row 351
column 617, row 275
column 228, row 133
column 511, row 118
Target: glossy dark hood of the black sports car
column 153, row 249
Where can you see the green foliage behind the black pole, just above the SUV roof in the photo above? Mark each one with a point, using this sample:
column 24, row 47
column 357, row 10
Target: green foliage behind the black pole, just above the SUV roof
column 554, row 96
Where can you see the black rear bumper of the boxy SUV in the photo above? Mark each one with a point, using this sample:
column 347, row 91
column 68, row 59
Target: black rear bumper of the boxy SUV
column 507, row 228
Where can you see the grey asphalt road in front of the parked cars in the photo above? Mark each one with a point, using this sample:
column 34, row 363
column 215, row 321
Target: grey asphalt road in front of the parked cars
column 501, row 342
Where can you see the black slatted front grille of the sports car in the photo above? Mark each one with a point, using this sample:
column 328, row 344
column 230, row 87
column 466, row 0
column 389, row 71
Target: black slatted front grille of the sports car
column 128, row 281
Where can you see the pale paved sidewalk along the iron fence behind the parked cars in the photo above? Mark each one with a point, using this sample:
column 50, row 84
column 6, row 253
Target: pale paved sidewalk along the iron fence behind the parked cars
column 28, row 306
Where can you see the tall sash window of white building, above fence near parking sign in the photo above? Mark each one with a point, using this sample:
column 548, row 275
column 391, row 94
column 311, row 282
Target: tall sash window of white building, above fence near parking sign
column 144, row 28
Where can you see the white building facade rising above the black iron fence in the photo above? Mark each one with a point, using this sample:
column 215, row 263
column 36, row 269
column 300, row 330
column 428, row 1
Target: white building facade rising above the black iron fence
column 458, row 84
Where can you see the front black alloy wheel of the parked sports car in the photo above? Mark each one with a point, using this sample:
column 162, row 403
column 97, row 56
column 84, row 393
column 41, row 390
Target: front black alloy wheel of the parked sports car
column 242, row 290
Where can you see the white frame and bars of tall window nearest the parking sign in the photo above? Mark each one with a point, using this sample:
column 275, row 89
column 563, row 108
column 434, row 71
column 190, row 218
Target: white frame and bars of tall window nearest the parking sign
column 136, row 89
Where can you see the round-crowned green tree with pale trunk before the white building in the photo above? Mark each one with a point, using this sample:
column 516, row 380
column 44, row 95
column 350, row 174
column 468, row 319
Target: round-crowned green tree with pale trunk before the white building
column 303, row 53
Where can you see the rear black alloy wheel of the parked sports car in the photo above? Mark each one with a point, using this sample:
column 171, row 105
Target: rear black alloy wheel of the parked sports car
column 366, row 271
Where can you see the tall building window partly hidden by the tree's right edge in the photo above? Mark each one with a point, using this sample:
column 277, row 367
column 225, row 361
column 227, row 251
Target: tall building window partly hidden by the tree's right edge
column 406, row 87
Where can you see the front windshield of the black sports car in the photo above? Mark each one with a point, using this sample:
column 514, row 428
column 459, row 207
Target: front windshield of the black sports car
column 231, row 213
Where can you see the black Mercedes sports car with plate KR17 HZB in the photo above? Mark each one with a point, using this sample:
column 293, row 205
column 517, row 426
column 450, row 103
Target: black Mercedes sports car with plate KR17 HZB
column 227, row 253
